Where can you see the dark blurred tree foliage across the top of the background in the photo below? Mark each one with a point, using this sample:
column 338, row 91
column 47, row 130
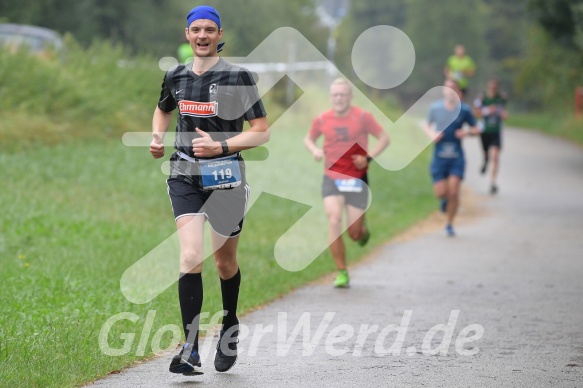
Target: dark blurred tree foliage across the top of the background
column 534, row 46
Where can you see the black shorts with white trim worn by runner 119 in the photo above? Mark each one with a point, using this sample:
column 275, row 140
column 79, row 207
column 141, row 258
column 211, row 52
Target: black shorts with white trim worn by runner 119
column 224, row 209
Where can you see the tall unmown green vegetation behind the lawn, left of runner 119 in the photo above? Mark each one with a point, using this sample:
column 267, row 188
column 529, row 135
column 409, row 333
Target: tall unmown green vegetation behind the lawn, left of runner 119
column 93, row 93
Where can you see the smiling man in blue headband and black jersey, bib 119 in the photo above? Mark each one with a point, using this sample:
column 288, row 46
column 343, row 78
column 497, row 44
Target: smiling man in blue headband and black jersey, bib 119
column 207, row 175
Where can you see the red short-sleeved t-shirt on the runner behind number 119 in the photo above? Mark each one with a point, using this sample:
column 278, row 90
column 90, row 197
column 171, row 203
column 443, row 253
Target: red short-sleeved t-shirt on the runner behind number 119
column 343, row 137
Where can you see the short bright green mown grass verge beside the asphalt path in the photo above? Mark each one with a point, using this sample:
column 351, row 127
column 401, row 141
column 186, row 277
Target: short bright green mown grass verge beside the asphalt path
column 76, row 217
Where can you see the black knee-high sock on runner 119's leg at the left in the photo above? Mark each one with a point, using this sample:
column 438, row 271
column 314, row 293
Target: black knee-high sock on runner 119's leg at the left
column 190, row 296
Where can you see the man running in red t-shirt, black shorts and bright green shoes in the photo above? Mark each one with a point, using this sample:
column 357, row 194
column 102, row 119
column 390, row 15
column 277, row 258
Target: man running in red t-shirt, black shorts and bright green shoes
column 345, row 129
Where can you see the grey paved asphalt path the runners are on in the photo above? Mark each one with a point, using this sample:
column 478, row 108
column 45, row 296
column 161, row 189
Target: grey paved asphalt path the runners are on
column 514, row 272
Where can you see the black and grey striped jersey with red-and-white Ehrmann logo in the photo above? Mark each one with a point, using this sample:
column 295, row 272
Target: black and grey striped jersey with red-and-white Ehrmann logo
column 217, row 101
